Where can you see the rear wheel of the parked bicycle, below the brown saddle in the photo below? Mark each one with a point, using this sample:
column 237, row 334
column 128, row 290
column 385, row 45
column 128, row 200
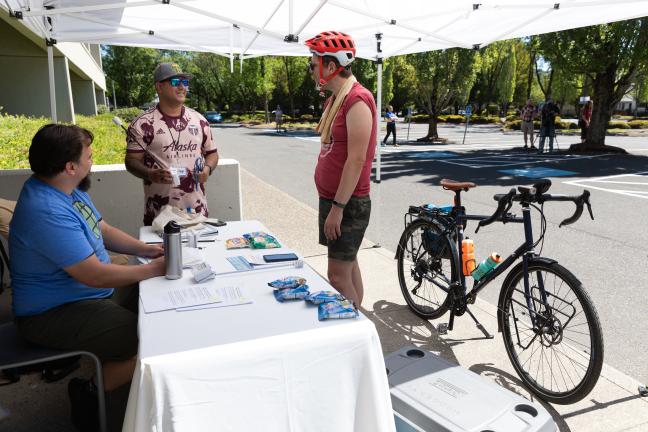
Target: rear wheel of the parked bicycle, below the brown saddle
column 427, row 261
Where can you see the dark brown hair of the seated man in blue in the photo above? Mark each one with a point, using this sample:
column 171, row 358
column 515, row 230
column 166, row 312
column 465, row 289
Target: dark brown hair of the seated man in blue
column 54, row 145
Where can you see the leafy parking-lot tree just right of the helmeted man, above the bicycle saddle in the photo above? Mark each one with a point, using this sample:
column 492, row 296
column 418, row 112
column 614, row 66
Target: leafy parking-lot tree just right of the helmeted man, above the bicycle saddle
column 438, row 78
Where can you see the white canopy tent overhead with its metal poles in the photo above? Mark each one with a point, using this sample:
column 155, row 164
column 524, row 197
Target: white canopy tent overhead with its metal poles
column 252, row 28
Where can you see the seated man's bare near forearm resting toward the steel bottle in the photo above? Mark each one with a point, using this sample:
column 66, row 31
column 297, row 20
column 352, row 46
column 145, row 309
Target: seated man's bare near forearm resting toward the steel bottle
column 94, row 273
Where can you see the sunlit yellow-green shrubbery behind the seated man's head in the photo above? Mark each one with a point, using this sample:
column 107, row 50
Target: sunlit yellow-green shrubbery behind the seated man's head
column 16, row 133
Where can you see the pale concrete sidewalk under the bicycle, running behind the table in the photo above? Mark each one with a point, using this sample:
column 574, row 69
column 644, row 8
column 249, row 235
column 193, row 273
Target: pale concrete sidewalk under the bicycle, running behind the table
column 614, row 404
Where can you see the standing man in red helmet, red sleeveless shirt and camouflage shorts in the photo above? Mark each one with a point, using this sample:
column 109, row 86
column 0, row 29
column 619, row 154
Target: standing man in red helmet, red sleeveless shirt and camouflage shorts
column 348, row 138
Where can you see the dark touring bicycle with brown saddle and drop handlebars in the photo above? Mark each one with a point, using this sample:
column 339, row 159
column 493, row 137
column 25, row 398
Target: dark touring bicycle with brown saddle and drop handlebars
column 549, row 325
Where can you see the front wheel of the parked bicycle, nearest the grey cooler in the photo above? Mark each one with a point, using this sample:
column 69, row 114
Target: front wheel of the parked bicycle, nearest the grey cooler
column 554, row 340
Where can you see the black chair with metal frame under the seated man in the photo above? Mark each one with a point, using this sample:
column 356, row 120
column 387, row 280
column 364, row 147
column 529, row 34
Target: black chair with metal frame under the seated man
column 16, row 352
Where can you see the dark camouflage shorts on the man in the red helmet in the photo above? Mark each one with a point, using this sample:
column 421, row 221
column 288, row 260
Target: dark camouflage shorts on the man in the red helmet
column 355, row 220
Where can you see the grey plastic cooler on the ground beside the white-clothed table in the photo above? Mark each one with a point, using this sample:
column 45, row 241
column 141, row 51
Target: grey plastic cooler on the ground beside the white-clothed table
column 431, row 394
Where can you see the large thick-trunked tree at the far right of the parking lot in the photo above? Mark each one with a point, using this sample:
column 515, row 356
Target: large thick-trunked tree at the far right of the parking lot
column 611, row 56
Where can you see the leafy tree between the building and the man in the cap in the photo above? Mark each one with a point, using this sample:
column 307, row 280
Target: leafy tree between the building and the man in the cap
column 131, row 69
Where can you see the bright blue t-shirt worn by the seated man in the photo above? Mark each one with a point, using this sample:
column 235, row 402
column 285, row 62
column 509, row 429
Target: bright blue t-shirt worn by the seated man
column 49, row 231
